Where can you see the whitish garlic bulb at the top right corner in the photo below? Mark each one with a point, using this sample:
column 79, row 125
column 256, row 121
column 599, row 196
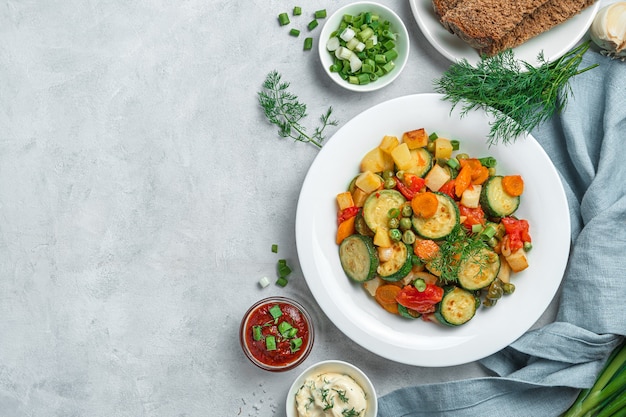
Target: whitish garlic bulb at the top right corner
column 608, row 29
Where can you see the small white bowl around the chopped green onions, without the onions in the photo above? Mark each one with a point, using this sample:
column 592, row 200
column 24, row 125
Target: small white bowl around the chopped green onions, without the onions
column 385, row 13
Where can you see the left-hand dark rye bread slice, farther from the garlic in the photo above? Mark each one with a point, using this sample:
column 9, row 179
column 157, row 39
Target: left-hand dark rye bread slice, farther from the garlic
column 482, row 23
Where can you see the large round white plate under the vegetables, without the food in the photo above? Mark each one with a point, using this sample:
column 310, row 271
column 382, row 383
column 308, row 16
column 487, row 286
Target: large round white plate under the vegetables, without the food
column 416, row 342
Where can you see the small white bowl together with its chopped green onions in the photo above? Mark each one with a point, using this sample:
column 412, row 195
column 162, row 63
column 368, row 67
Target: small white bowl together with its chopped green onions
column 364, row 46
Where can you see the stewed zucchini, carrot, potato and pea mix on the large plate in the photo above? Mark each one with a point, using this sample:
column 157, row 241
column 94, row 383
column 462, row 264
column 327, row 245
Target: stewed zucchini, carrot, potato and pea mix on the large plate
column 431, row 232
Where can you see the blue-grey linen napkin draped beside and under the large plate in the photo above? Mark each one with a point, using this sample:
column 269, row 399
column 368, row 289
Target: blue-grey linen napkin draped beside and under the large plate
column 542, row 372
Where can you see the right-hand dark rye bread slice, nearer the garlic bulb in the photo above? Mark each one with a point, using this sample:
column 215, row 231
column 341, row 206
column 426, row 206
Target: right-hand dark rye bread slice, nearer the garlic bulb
column 544, row 18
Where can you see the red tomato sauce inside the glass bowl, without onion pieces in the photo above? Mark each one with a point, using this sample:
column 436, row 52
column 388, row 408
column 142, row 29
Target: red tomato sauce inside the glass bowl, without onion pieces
column 282, row 355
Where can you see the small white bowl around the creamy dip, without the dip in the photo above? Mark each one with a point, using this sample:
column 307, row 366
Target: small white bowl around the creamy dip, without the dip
column 340, row 367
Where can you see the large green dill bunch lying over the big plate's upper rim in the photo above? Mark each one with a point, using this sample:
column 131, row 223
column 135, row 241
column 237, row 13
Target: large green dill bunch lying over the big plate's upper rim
column 519, row 95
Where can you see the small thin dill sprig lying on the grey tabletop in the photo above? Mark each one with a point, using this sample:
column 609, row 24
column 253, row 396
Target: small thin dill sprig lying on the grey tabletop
column 283, row 109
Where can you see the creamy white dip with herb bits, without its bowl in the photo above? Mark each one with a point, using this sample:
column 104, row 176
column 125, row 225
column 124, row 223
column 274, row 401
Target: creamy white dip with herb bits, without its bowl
column 330, row 395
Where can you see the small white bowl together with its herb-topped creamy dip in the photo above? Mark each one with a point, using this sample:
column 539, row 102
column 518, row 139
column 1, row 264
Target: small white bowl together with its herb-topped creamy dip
column 338, row 387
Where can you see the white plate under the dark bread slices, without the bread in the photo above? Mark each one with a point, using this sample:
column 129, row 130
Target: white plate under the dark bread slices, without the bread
column 554, row 43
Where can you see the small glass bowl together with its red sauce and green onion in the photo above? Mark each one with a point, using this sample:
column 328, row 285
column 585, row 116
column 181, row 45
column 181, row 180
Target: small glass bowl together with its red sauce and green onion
column 276, row 334
